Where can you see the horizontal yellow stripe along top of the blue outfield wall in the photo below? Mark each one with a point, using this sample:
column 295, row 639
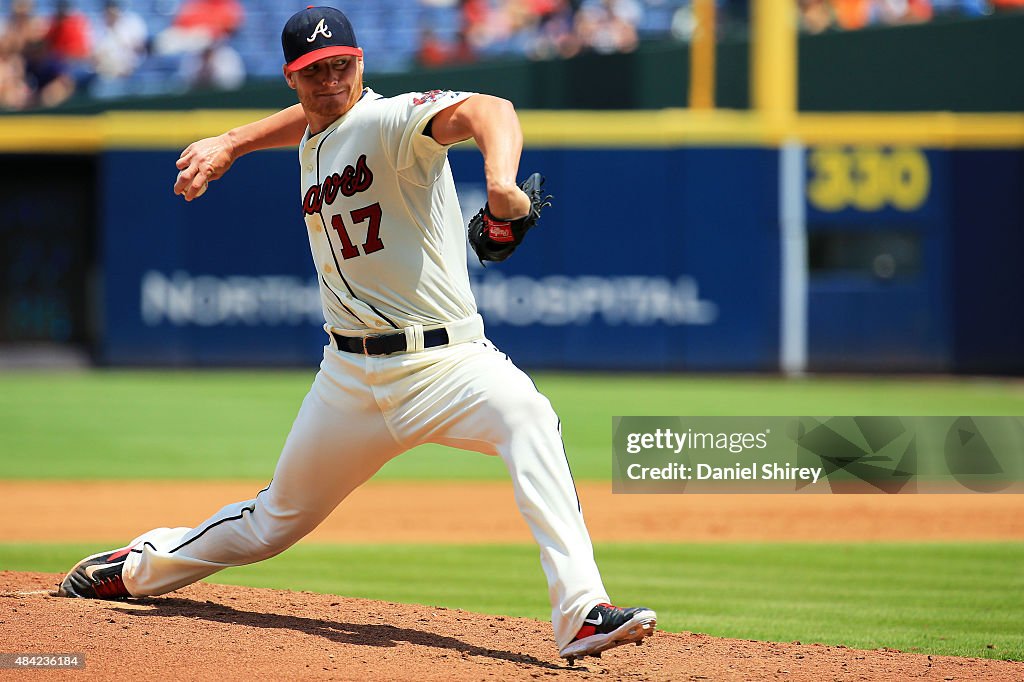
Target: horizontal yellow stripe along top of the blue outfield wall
column 647, row 130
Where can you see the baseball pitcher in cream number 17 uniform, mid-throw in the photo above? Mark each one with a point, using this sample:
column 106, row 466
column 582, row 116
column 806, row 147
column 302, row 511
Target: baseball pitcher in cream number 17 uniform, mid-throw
column 407, row 360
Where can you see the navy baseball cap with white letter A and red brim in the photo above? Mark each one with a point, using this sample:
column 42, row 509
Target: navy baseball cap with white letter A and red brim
column 317, row 33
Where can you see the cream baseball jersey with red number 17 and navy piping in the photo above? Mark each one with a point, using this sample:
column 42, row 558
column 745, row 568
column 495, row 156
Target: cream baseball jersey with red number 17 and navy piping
column 385, row 224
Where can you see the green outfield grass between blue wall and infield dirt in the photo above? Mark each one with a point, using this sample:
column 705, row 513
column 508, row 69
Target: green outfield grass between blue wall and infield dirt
column 114, row 424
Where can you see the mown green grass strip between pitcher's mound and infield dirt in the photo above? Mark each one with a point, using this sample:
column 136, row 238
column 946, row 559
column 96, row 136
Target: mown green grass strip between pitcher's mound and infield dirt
column 954, row 600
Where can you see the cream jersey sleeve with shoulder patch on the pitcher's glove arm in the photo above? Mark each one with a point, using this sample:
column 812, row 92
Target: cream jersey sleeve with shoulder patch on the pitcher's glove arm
column 403, row 125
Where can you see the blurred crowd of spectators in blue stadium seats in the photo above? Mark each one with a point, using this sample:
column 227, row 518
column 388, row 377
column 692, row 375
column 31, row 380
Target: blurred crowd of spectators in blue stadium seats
column 52, row 50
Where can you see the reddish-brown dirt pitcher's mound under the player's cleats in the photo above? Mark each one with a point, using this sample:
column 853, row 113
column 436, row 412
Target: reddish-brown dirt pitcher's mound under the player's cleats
column 219, row 632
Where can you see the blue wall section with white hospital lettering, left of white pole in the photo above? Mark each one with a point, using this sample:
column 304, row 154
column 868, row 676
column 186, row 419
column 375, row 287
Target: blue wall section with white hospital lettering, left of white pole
column 642, row 264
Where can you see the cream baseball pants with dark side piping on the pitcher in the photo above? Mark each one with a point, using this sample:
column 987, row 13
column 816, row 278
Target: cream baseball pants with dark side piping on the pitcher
column 362, row 412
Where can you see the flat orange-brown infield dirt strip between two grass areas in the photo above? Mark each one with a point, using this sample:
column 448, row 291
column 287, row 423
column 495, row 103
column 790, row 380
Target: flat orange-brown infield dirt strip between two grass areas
column 473, row 513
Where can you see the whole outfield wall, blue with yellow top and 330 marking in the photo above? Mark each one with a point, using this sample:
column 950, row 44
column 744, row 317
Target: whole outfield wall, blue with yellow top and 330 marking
column 665, row 250
